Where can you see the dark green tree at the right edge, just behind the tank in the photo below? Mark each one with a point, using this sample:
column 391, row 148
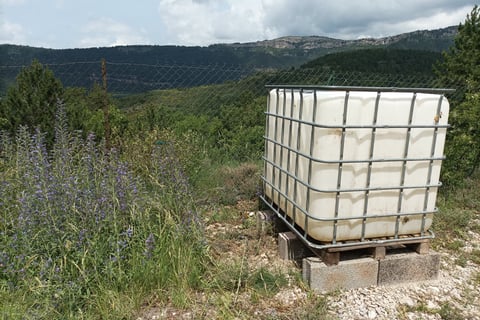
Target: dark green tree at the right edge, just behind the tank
column 460, row 69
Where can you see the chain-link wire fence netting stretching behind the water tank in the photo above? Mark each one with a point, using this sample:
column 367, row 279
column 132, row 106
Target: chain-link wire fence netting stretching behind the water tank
column 207, row 83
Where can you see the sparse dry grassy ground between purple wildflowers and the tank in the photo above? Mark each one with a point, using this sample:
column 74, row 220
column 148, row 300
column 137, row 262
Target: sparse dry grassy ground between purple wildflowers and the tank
column 246, row 279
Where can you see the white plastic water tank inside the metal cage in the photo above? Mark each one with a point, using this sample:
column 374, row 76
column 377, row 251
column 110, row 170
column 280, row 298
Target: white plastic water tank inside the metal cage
column 355, row 164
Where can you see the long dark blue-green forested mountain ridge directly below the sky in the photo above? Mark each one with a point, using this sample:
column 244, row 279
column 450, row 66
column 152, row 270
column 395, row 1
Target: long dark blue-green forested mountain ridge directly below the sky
column 281, row 53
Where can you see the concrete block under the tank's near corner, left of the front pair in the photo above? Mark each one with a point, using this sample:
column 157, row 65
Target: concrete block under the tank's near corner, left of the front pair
column 348, row 274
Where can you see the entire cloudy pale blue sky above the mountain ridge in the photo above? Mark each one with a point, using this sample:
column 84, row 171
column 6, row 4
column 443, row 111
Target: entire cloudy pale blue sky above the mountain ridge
column 63, row 24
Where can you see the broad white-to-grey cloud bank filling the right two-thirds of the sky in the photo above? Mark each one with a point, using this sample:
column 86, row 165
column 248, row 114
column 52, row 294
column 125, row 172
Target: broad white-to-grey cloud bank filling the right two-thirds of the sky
column 201, row 22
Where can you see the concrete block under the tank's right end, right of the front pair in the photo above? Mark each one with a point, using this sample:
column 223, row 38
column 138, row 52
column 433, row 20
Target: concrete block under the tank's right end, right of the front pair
column 406, row 267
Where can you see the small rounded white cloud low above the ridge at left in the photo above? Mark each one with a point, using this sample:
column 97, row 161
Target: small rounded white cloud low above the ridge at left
column 108, row 32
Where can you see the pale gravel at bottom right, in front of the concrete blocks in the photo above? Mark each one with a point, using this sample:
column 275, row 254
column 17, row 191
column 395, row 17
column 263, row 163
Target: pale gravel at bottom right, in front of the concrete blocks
column 453, row 286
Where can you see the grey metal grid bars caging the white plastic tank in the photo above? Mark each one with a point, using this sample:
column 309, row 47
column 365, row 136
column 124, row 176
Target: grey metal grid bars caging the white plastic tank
column 279, row 145
